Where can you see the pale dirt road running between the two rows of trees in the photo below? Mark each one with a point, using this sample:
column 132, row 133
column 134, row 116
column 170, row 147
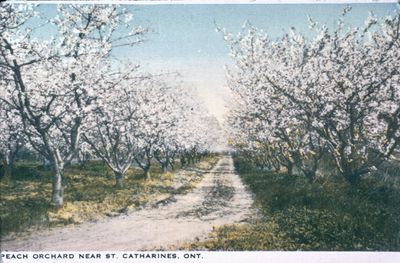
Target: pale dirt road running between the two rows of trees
column 220, row 198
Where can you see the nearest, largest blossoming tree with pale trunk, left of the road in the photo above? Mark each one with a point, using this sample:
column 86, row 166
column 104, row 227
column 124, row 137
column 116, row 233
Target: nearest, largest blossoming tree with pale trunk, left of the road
column 55, row 81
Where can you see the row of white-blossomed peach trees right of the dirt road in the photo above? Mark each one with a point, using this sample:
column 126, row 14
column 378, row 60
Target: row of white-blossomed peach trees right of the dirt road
column 332, row 96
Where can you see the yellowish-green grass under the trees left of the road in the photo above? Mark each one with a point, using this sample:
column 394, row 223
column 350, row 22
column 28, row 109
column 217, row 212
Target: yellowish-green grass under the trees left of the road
column 90, row 194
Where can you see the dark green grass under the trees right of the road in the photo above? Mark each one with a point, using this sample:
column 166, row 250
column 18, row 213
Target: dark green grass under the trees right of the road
column 325, row 215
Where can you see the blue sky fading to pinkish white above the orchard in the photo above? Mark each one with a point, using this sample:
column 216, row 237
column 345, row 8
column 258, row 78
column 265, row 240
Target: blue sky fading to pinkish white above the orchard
column 183, row 38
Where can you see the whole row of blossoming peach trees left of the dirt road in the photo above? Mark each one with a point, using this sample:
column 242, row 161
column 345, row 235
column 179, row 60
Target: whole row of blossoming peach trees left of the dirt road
column 66, row 95
